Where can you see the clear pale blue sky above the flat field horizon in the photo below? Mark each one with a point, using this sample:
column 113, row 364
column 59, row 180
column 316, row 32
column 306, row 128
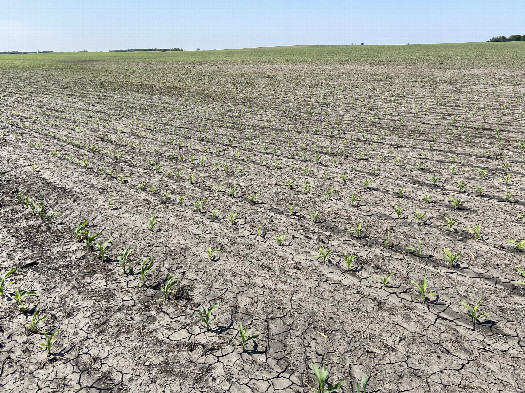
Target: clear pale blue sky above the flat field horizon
column 71, row 25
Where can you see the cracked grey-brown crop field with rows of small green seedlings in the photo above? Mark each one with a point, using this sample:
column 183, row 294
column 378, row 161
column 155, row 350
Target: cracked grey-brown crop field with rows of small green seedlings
column 306, row 192
